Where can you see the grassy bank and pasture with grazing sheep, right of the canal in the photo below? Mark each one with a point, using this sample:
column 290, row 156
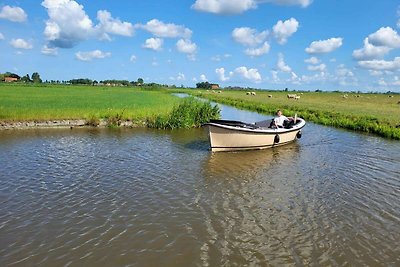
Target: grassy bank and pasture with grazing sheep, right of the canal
column 372, row 113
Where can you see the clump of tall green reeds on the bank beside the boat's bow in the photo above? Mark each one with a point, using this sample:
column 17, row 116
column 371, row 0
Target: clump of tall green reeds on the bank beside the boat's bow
column 188, row 114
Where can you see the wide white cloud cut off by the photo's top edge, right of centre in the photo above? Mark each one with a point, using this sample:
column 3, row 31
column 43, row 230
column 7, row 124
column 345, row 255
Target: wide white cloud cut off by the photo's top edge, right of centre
column 240, row 6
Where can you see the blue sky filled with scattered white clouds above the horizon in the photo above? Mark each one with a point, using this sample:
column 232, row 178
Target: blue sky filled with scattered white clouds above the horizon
column 268, row 44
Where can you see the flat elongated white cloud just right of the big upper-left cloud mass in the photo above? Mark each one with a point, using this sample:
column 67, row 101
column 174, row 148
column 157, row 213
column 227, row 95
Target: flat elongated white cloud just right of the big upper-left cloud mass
column 166, row 30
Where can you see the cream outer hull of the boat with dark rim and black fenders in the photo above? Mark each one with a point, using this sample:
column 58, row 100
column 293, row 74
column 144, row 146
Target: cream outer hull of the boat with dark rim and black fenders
column 228, row 138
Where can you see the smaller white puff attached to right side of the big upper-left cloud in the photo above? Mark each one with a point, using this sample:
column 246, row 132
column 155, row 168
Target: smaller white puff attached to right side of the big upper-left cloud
column 112, row 26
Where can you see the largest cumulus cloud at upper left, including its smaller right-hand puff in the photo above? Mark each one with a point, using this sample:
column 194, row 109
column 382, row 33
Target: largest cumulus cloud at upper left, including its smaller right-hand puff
column 68, row 24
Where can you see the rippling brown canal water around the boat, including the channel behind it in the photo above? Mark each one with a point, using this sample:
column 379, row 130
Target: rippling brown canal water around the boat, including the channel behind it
column 140, row 197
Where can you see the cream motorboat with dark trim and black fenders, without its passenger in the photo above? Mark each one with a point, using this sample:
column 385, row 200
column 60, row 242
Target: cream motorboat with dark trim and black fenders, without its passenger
column 227, row 135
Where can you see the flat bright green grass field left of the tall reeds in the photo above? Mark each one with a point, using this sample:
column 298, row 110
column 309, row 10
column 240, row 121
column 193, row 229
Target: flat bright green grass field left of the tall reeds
column 19, row 102
